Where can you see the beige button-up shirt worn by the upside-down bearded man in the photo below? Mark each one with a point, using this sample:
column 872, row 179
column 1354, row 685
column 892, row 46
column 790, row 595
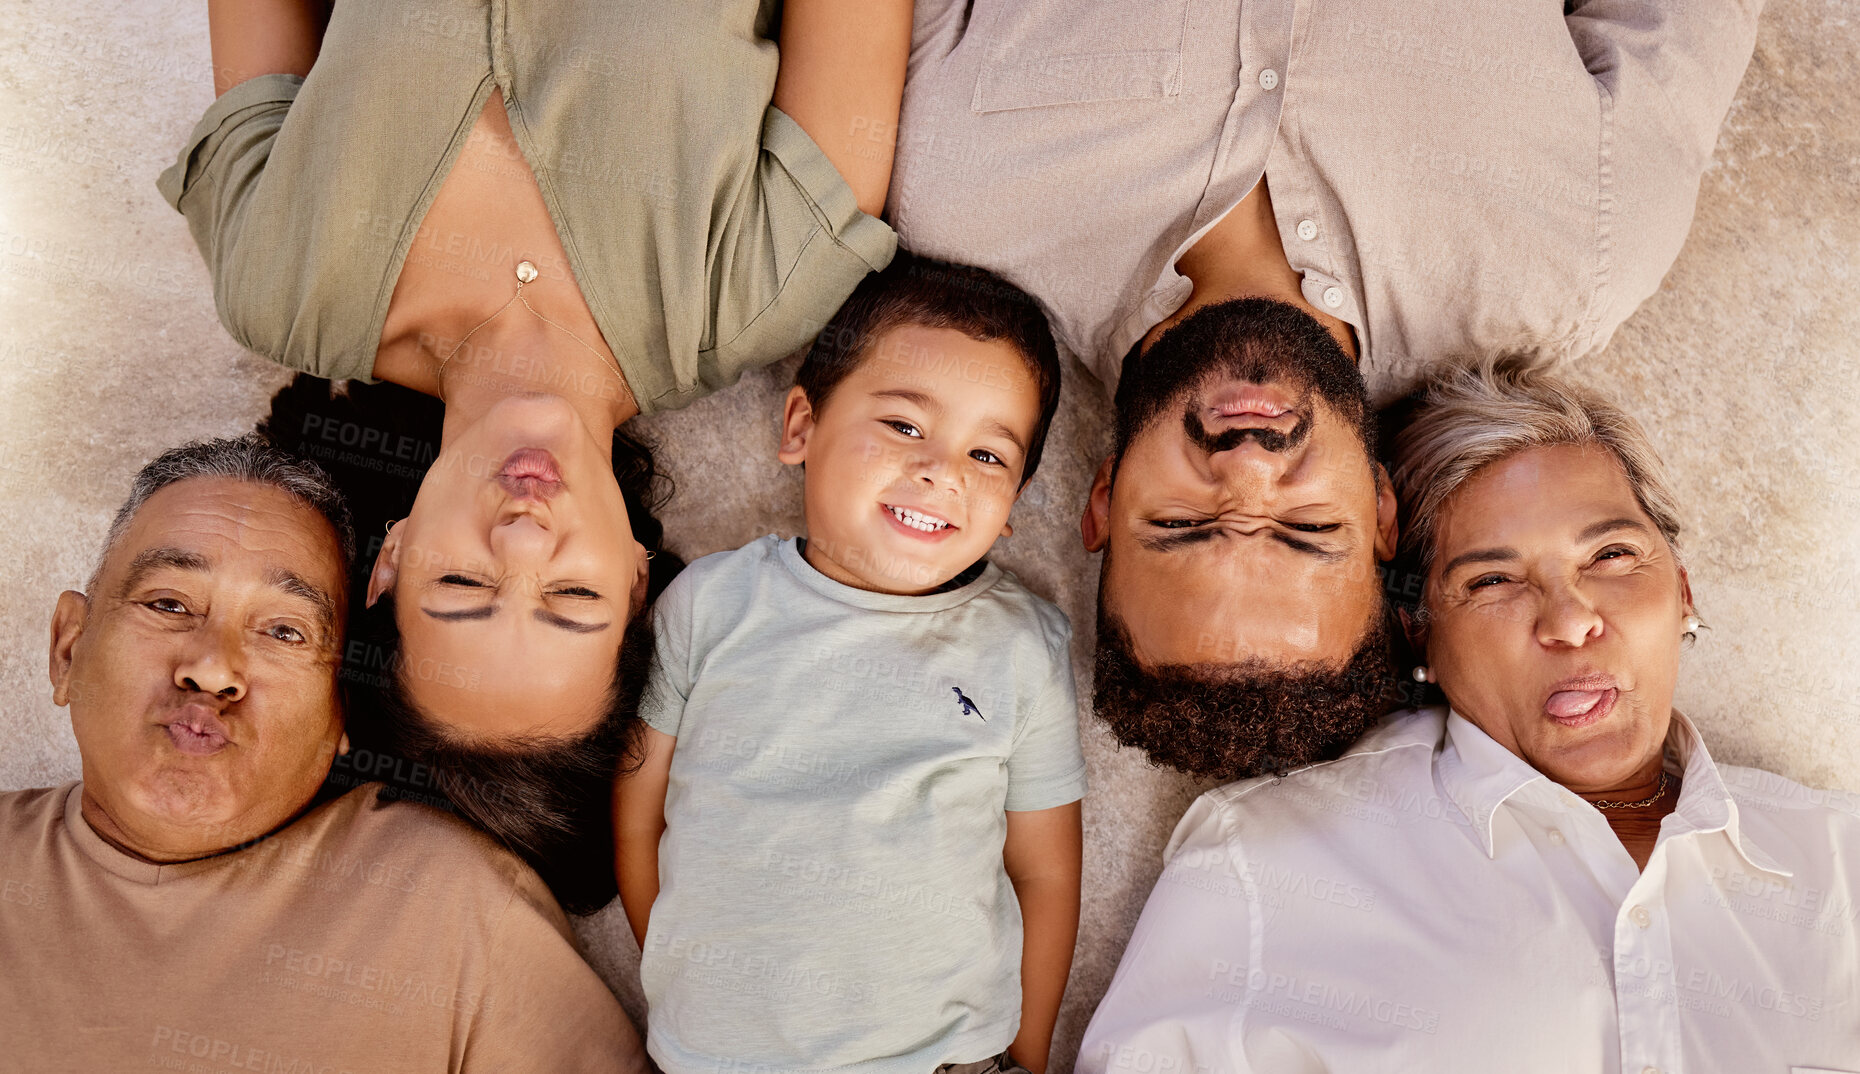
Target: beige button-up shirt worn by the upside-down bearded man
column 1450, row 178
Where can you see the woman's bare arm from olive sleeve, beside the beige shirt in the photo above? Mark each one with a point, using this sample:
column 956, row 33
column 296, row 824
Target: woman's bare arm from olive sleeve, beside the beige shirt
column 844, row 81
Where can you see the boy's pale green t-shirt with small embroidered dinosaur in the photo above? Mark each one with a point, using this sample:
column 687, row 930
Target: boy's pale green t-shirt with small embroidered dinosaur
column 832, row 893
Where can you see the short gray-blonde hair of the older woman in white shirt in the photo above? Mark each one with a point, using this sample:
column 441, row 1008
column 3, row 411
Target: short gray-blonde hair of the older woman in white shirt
column 1474, row 416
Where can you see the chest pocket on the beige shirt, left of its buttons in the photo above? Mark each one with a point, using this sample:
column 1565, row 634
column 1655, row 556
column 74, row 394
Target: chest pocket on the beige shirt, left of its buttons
column 1123, row 51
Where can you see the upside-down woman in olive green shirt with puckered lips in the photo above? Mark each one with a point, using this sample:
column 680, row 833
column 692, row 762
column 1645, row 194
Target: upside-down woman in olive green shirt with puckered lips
column 550, row 221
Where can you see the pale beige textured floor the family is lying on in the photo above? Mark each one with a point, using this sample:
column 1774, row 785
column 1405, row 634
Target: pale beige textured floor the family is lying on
column 1744, row 369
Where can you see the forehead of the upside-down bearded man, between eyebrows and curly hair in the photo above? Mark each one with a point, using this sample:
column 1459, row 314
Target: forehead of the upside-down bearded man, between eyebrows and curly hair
column 1230, row 606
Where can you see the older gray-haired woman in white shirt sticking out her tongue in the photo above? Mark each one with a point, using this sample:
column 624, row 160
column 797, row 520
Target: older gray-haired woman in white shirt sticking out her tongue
column 1548, row 872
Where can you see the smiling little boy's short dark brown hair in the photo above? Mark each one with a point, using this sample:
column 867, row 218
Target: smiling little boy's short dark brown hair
column 937, row 295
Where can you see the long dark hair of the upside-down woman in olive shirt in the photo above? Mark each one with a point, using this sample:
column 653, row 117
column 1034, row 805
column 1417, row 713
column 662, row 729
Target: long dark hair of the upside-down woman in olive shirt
column 546, row 799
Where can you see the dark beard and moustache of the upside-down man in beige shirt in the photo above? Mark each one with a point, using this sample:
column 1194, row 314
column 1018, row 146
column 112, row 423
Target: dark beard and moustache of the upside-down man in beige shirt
column 1247, row 340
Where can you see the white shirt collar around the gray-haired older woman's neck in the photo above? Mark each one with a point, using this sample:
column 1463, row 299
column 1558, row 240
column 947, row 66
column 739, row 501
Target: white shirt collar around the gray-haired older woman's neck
column 1480, row 775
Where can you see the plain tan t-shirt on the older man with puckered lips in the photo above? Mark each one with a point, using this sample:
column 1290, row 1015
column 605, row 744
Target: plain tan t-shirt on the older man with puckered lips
column 365, row 937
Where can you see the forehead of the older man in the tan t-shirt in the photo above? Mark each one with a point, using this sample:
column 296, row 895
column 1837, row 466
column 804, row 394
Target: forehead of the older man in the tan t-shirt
column 230, row 530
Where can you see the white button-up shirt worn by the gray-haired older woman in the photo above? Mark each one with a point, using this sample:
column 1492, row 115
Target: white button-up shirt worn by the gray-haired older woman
column 1429, row 902
